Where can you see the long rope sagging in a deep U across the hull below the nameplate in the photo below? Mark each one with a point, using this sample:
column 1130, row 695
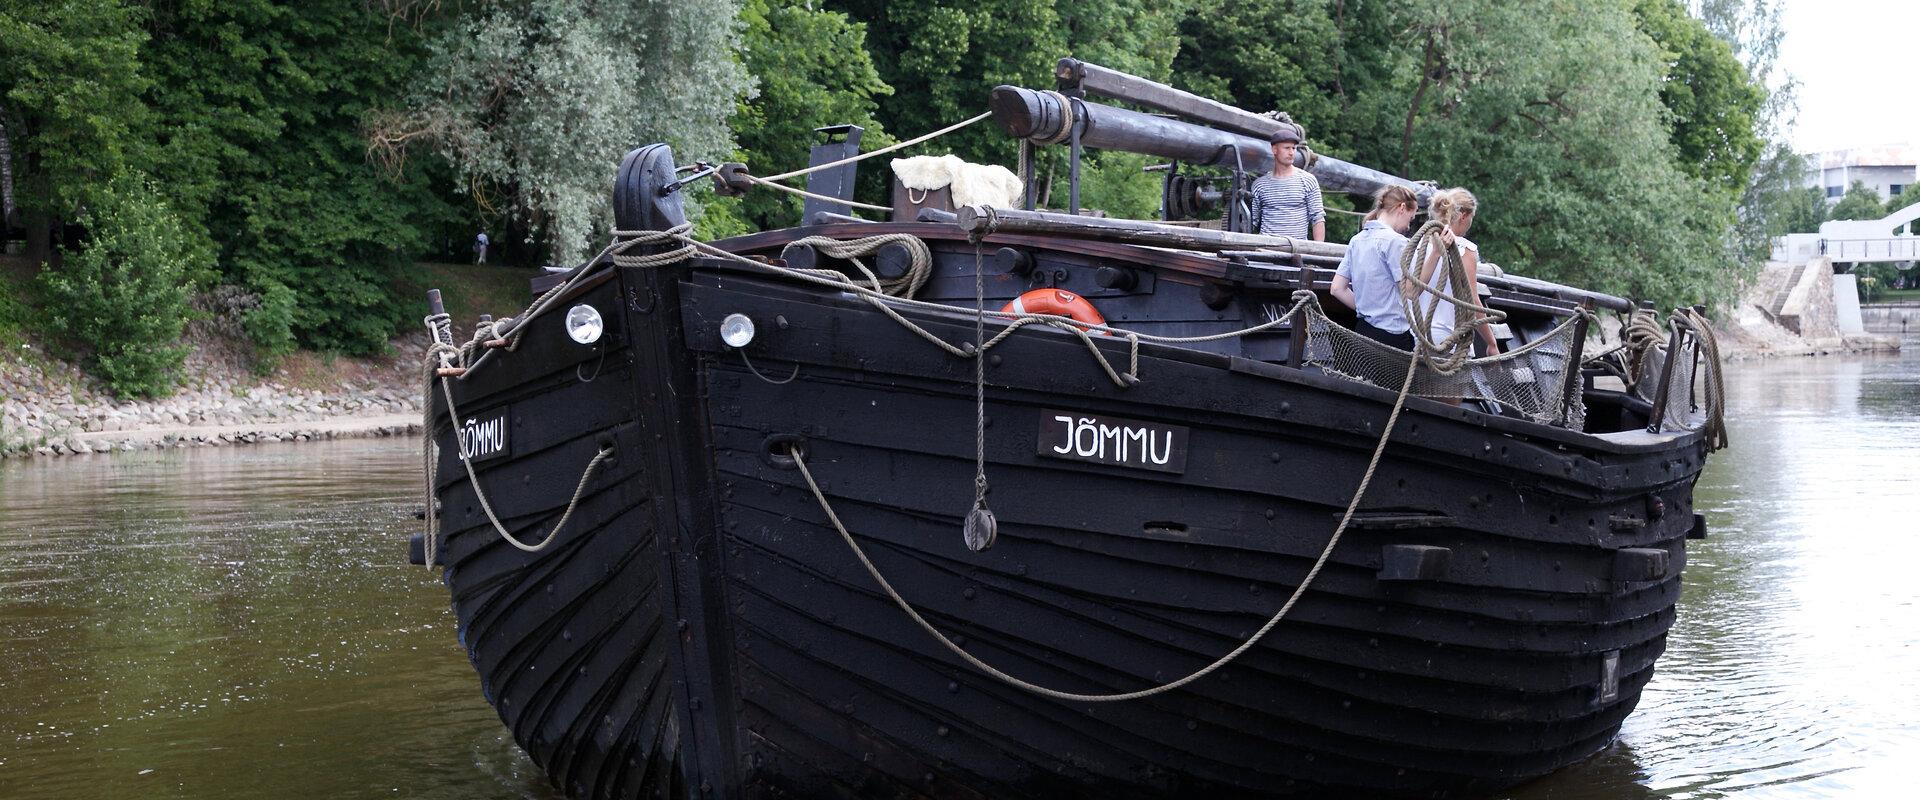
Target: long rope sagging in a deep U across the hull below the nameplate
column 1164, row 688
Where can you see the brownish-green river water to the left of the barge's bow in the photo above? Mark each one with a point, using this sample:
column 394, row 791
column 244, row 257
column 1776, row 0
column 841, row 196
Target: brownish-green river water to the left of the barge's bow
column 233, row 624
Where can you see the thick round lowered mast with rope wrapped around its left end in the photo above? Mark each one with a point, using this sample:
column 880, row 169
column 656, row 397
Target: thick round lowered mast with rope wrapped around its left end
column 1042, row 118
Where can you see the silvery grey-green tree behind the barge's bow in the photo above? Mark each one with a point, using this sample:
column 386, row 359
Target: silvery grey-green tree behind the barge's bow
column 535, row 103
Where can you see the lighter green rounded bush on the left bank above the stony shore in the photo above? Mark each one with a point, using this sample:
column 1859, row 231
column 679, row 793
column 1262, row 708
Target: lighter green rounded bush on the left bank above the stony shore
column 124, row 298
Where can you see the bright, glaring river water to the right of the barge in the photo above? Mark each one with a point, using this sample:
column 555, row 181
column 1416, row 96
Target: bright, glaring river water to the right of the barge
column 1792, row 665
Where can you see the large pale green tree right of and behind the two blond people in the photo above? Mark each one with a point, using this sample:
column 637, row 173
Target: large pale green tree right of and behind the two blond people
column 1550, row 112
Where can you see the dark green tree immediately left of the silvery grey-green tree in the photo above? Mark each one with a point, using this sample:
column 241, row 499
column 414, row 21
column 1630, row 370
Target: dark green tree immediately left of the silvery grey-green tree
column 258, row 143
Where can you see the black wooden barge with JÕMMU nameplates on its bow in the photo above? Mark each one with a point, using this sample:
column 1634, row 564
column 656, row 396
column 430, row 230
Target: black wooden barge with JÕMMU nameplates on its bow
column 698, row 628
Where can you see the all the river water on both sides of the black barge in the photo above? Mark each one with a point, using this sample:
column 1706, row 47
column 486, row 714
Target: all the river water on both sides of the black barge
column 241, row 623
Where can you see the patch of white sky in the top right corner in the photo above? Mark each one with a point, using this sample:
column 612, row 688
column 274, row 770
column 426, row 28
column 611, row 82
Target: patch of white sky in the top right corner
column 1858, row 66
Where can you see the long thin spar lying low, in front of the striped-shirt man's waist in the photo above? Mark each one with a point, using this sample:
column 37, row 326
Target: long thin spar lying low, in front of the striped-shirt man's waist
column 978, row 220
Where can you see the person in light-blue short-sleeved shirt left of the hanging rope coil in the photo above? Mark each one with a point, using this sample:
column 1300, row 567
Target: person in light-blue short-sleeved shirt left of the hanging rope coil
column 1368, row 279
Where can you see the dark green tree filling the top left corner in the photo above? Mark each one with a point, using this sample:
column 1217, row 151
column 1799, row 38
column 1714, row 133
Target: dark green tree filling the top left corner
column 70, row 83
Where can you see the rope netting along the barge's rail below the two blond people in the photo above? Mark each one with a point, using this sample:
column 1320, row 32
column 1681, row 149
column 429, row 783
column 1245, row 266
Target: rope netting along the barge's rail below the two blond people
column 1529, row 381
